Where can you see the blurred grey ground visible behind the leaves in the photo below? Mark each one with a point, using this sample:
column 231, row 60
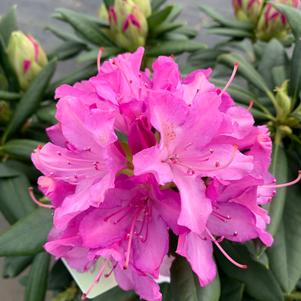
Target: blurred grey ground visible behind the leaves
column 34, row 15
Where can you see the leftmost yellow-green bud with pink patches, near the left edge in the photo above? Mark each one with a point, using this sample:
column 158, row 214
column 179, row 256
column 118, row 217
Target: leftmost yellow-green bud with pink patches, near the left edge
column 26, row 57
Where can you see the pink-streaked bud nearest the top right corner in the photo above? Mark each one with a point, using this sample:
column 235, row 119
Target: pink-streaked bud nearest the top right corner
column 273, row 24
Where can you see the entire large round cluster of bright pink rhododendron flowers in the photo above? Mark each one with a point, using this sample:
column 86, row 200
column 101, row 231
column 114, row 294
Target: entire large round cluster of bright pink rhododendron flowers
column 136, row 155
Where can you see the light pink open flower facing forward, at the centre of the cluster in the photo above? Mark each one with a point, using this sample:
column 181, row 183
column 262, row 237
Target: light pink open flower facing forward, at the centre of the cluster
column 183, row 158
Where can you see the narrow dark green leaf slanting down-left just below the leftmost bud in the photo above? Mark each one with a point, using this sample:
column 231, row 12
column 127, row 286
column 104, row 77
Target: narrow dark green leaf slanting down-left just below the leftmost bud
column 30, row 101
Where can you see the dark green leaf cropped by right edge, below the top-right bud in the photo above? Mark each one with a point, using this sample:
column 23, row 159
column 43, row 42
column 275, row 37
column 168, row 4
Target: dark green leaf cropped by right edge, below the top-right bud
column 295, row 76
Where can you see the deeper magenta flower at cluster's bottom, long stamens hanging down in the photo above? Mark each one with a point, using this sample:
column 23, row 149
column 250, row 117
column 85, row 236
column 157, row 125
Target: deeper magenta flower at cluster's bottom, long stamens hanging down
column 129, row 226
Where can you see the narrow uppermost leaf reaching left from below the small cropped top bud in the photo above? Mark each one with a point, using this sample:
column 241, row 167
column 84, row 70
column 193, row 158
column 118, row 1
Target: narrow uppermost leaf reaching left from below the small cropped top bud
column 212, row 13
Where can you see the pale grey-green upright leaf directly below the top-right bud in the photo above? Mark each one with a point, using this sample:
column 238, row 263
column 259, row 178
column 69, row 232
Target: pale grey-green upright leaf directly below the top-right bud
column 274, row 55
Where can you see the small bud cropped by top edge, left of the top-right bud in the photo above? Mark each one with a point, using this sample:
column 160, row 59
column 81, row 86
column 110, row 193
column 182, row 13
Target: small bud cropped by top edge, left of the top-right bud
column 248, row 10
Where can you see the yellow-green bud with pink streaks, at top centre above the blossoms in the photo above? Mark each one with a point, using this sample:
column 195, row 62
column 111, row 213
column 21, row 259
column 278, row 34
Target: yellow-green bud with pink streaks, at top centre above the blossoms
column 128, row 24
